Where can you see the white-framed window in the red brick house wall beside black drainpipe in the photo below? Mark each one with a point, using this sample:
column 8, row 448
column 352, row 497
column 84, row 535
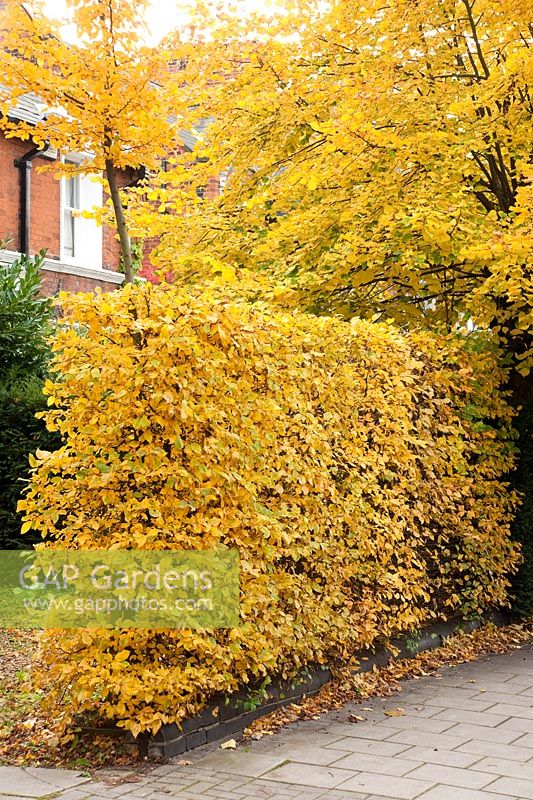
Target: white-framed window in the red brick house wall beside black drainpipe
column 81, row 238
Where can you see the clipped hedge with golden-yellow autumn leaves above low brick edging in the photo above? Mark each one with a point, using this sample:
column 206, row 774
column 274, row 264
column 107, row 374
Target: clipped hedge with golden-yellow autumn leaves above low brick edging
column 357, row 470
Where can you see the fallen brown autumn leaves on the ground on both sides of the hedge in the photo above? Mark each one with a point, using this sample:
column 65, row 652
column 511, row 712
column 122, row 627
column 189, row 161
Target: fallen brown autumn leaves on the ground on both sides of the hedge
column 28, row 737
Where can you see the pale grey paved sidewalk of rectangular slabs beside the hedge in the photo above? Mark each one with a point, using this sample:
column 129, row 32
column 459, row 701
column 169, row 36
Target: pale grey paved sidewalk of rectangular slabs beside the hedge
column 467, row 735
